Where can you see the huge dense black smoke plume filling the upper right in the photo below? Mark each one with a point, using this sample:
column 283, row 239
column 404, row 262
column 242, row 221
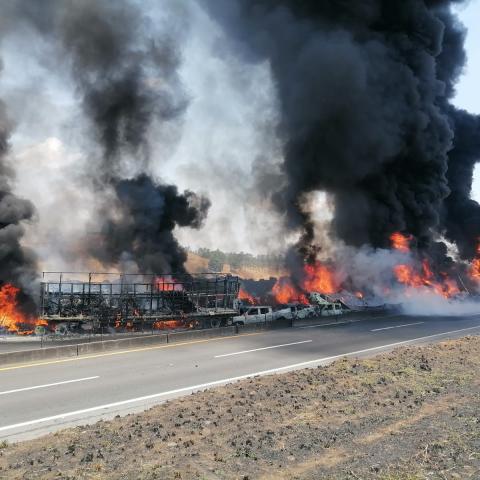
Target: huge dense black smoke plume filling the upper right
column 364, row 89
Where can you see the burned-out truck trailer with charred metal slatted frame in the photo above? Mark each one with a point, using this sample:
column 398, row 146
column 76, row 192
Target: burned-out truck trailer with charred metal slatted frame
column 138, row 301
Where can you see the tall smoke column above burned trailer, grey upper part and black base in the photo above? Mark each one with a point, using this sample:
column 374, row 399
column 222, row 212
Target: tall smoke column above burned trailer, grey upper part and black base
column 125, row 72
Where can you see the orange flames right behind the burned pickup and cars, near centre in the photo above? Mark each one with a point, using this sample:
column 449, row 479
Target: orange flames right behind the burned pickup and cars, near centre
column 316, row 278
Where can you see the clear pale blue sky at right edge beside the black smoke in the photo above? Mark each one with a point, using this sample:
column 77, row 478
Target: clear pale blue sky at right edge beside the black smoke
column 468, row 95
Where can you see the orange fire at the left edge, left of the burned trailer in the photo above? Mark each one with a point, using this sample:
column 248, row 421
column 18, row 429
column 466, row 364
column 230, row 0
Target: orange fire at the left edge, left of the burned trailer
column 11, row 318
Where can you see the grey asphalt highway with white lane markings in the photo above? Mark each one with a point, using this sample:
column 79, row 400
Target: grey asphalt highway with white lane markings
column 49, row 395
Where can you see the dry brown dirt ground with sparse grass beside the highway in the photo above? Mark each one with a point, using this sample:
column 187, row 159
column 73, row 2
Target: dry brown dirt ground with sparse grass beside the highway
column 410, row 414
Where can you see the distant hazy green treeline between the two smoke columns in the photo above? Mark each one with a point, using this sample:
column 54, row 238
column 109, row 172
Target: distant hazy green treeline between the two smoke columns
column 217, row 259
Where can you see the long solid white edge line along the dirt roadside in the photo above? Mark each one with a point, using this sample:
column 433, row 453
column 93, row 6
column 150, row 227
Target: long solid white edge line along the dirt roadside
column 223, row 381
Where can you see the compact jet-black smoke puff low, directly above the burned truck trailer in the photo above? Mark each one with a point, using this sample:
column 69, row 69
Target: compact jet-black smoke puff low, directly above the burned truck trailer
column 149, row 213
